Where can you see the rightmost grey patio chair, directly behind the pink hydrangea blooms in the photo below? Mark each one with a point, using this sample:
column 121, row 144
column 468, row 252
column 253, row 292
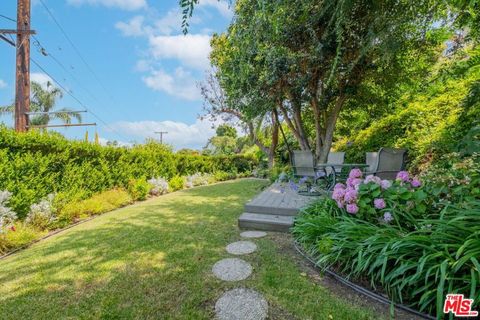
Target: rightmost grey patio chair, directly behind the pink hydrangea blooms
column 388, row 162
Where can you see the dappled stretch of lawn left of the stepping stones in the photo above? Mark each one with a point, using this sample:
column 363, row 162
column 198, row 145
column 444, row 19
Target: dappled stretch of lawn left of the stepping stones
column 146, row 261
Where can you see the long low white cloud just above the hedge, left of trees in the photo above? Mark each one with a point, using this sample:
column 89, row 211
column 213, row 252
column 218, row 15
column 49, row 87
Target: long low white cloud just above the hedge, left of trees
column 180, row 134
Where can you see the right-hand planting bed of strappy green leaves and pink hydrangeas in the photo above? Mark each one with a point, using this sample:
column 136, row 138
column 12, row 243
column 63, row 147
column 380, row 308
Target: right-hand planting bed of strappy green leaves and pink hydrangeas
column 408, row 238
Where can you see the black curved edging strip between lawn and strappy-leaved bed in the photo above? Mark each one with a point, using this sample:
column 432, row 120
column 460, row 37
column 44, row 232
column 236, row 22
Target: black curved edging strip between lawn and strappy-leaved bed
column 359, row 289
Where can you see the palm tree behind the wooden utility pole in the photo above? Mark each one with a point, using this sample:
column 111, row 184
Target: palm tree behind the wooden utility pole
column 43, row 100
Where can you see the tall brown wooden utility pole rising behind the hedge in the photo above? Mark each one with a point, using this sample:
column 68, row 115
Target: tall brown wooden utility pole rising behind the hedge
column 22, row 74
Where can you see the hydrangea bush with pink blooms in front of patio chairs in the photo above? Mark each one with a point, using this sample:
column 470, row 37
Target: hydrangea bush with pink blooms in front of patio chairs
column 401, row 201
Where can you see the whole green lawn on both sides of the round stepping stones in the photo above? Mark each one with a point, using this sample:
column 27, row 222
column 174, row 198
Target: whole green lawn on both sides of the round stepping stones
column 153, row 260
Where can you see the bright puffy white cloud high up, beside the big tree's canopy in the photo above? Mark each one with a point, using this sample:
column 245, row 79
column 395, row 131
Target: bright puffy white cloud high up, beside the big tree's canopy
column 191, row 50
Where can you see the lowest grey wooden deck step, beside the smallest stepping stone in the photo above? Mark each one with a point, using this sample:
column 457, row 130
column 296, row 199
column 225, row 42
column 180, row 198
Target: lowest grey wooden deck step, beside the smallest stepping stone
column 268, row 222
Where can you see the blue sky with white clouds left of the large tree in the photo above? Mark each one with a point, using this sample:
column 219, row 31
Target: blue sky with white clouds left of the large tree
column 147, row 68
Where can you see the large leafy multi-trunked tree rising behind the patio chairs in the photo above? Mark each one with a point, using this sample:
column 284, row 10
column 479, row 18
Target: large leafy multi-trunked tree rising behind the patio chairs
column 306, row 60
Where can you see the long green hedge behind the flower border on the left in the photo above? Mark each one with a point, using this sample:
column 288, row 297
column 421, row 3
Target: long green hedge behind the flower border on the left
column 34, row 164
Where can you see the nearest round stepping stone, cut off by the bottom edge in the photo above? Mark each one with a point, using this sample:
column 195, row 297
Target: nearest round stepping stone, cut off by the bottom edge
column 241, row 303
